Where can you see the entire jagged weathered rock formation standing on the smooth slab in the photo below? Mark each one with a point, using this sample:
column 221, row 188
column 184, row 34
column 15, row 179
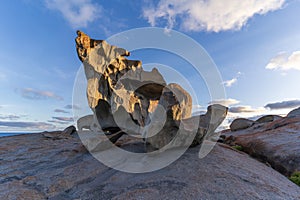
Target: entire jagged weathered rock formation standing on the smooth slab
column 124, row 97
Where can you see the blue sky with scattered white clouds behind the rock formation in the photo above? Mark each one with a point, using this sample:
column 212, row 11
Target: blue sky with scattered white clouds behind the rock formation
column 254, row 44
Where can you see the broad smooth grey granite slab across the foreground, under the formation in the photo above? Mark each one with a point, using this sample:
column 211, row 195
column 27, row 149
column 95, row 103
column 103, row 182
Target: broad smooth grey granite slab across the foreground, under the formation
column 36, row 167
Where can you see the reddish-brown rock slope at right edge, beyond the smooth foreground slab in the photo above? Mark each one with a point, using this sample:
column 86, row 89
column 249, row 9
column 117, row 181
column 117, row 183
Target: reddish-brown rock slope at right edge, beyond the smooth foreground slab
column 276, row 143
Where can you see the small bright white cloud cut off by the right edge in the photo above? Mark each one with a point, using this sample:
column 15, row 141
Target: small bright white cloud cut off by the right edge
column 284, row 61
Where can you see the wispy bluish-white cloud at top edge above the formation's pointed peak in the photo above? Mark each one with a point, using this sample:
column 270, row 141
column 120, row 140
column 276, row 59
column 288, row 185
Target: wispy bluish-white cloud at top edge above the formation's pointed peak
column 77, row 12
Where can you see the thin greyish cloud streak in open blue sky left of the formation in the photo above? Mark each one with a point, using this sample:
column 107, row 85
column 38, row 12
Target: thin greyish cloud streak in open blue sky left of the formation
column 32, row 94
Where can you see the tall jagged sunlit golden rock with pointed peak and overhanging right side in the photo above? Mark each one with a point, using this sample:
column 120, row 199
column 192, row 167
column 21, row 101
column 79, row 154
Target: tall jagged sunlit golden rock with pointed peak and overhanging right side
column 120, row 93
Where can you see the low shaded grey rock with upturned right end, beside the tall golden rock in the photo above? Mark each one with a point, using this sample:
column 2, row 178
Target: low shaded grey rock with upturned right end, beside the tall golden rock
column 186, row 132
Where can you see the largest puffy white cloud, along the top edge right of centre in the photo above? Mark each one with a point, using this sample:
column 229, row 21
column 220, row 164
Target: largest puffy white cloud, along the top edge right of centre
column 208, row 15
